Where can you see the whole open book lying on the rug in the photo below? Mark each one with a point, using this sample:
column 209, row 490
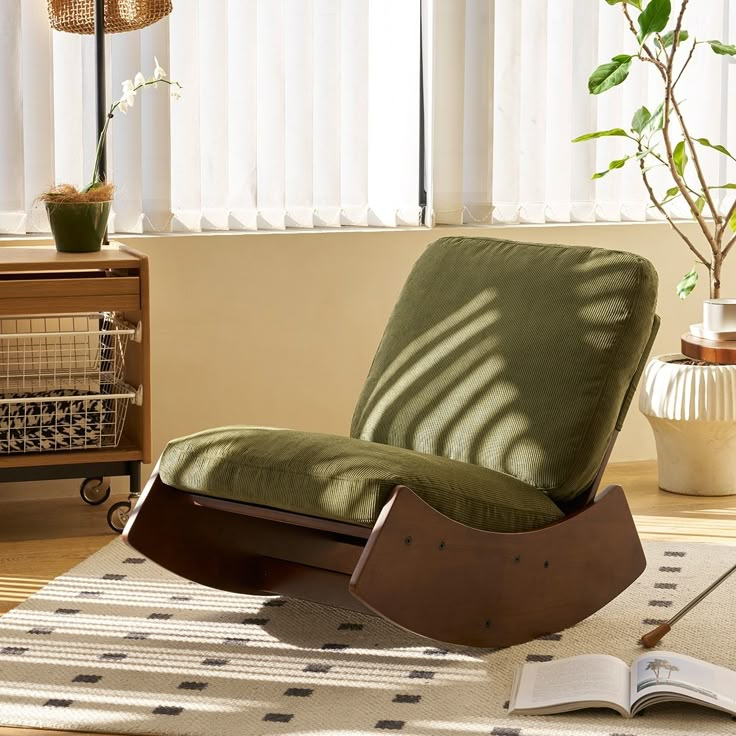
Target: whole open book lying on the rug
column 602, row 681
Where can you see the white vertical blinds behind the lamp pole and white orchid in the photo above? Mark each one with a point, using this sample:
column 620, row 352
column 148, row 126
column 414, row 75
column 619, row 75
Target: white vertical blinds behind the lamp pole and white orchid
column 294, row 113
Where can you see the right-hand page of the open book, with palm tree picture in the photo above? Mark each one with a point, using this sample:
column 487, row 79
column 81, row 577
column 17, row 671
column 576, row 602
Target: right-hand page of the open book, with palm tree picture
column 667, row 673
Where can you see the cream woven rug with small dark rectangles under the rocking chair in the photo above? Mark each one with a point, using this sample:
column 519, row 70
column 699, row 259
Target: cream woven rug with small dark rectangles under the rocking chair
column 120, row 645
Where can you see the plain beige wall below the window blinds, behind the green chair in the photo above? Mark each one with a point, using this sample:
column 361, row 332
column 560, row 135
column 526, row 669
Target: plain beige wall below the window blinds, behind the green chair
column 279, row 329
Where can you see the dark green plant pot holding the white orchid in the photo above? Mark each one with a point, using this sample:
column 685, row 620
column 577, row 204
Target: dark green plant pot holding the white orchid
column 78, row 227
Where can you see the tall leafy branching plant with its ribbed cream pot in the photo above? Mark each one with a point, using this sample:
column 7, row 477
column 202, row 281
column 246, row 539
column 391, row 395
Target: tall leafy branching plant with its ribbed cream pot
column 691, row 405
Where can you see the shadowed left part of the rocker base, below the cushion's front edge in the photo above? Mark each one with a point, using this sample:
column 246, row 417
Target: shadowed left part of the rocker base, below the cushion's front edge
column 242, row 553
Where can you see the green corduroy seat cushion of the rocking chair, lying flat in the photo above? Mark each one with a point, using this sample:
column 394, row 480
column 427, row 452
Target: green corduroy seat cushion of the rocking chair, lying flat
column 346, row 479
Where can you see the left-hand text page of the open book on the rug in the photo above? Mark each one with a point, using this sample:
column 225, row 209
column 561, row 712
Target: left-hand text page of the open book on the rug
column 591, row 679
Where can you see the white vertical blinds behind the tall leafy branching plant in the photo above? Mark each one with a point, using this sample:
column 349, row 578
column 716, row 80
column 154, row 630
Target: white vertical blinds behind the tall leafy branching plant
column 509, row 93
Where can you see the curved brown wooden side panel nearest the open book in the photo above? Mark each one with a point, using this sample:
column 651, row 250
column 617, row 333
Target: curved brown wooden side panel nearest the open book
column 444, row 580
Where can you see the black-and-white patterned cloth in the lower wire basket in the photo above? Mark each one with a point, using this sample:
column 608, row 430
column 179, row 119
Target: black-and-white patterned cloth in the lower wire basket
column 57, row 420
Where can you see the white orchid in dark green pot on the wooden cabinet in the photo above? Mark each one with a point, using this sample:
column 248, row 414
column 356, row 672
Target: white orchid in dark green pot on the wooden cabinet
column 78, row 217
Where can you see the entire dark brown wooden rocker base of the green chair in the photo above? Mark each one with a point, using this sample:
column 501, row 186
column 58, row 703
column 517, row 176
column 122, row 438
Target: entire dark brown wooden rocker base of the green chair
column 416, row 567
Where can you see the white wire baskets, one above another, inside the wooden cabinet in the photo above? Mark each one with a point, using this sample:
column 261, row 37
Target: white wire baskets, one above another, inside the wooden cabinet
column 61, row 384
